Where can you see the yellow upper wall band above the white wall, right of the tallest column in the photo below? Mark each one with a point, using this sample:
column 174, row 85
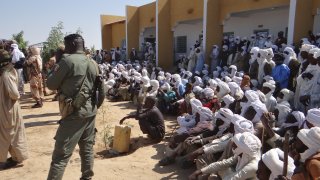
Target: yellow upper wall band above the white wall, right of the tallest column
column 230, row 6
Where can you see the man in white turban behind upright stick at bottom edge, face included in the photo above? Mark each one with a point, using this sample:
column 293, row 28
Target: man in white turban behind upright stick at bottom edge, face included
column 271, row 165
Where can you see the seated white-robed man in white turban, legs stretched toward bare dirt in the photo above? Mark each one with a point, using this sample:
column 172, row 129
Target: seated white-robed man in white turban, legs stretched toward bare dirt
column 246, row 157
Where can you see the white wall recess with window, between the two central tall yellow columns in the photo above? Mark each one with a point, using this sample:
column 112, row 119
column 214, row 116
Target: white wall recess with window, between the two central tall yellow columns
column 191, row 30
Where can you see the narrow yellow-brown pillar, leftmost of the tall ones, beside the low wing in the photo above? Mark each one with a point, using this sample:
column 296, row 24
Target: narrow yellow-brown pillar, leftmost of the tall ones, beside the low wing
column 132, row 28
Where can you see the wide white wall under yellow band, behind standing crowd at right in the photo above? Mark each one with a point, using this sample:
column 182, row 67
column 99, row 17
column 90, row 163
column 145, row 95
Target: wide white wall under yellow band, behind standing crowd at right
column 275, row 20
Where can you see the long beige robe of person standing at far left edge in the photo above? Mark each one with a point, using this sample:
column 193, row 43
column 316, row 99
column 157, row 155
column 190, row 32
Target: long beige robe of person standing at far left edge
column 12, row 132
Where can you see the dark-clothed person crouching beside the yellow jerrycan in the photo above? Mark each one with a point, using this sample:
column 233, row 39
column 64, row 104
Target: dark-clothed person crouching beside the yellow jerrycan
column 150, row 120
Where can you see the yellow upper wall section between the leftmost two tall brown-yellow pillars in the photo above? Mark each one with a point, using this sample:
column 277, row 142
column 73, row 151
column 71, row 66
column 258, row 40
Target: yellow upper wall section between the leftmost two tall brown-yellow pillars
column 147, row 16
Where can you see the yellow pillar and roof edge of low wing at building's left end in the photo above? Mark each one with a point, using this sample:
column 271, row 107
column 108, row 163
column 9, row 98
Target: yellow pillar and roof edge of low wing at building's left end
column 106, row 32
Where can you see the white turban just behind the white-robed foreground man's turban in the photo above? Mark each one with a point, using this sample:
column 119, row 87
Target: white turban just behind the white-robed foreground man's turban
column 241, row 124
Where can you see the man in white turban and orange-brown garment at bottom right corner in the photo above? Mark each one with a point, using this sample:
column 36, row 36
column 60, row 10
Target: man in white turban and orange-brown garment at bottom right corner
column 308, row 146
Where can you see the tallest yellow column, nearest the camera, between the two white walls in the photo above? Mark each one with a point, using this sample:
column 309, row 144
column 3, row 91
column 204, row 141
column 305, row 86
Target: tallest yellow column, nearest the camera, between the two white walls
column 212, row 26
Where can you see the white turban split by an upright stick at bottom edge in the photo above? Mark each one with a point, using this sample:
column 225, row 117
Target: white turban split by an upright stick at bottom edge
column 273, row 159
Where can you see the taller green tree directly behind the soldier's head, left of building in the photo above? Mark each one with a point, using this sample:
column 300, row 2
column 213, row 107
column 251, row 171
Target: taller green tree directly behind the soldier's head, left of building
column 54, row 40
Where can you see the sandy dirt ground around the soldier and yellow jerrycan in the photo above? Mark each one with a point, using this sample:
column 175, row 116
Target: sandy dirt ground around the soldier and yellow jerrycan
column 140, row 163
